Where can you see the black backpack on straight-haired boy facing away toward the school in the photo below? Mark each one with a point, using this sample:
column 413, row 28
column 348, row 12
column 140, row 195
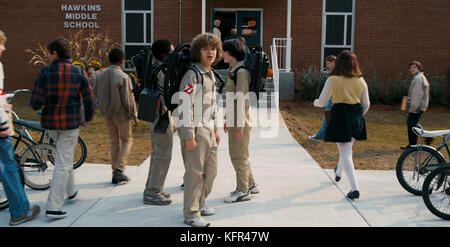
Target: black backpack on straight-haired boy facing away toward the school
column 258, row 66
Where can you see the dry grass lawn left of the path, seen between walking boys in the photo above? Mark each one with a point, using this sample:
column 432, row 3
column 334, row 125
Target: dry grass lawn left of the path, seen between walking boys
column 96, row 135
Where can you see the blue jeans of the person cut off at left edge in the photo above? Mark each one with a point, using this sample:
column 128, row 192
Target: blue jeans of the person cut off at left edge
column 9, row 174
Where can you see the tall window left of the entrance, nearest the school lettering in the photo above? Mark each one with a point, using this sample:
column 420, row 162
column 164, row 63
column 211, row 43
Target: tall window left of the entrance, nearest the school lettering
column 137, row 26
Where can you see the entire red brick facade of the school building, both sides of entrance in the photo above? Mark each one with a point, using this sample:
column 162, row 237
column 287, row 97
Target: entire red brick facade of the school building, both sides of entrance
column 388, row 33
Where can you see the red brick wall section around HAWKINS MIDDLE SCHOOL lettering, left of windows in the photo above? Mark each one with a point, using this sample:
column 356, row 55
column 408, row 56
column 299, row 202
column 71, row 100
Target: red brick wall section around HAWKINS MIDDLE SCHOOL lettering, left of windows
column 29, row 23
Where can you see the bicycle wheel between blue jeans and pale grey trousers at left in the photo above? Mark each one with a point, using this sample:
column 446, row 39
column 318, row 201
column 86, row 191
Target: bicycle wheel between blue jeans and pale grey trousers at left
column 38, row 164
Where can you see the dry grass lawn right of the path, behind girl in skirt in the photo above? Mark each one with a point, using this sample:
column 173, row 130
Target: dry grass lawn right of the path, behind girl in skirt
column 386, row 132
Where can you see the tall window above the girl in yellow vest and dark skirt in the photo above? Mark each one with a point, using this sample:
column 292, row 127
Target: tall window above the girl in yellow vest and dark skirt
column 337, row 27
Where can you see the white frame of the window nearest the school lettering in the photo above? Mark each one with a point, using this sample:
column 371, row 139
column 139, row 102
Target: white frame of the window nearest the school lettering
column 124, row 28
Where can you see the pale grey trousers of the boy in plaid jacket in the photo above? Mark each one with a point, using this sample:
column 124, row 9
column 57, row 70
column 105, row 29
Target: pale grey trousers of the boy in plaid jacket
column 62, row 184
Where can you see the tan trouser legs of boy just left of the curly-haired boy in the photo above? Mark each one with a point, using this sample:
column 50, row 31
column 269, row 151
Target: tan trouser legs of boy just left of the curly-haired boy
column 159, row 161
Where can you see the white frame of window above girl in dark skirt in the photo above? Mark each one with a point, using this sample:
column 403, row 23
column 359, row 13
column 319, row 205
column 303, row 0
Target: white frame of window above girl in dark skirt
column 324, row 30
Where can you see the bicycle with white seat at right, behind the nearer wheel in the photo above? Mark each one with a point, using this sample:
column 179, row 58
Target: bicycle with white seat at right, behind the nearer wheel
column 418, row 161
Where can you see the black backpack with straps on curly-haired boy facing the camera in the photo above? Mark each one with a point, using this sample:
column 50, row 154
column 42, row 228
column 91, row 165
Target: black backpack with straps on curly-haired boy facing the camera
column 175, row 67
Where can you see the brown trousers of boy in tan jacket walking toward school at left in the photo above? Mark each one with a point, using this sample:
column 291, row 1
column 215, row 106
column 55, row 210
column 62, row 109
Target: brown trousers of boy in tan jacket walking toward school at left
column 121, row 140
